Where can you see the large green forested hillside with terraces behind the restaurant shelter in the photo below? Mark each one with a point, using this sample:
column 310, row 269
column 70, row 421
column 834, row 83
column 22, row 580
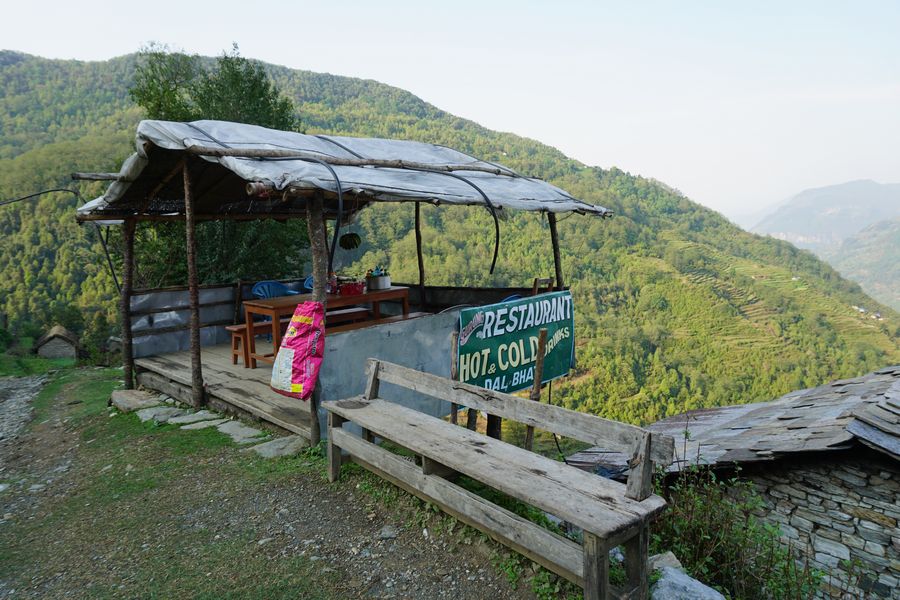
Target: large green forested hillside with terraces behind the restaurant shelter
column 676, row 307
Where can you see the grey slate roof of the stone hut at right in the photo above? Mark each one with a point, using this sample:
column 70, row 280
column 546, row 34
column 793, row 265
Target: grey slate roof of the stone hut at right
column 835, row 416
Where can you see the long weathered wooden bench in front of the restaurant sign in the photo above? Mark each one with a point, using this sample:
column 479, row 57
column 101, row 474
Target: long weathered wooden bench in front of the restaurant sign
column 609, row 513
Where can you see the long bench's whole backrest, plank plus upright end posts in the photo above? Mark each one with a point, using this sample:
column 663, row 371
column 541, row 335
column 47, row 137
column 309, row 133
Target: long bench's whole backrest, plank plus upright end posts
column 643, row 448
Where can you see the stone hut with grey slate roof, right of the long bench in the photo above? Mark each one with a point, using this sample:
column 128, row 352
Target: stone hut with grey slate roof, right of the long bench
column 825, row 461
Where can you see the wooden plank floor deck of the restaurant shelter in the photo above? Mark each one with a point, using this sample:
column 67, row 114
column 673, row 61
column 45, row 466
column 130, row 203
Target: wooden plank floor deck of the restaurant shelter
column 246, row 390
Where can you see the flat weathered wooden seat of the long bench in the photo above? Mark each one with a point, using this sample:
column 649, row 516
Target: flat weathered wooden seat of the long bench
column 593, row 503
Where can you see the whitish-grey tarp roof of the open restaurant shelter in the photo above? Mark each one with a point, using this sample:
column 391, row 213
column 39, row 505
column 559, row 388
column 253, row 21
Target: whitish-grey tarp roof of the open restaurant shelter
column 150, row 185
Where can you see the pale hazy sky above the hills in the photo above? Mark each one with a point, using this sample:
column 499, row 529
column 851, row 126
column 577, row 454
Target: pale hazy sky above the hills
column 737, row 104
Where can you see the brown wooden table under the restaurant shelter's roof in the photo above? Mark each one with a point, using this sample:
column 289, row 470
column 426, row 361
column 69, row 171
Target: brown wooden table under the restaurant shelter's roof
column 283, row 306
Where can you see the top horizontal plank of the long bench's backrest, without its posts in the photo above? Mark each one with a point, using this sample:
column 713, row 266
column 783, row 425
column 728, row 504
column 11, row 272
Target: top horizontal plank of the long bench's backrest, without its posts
column 580, row 426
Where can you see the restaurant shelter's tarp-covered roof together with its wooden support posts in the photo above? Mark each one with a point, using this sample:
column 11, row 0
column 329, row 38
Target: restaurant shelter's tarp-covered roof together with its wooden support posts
column 215, row 170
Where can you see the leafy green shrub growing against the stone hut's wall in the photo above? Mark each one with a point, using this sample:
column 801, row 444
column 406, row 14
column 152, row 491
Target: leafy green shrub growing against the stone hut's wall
column 710, row 526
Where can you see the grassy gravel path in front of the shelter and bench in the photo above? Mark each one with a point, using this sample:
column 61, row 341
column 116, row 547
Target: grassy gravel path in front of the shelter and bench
column 104, row 506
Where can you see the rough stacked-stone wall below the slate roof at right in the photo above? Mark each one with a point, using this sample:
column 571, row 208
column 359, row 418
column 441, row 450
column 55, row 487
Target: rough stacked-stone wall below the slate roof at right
column 839, row 508
